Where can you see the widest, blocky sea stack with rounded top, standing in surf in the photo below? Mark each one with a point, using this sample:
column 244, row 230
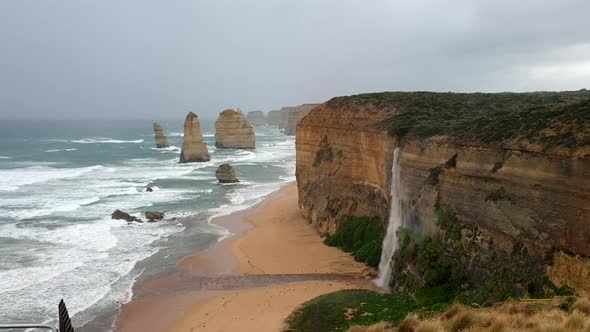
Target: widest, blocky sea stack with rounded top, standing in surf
column 232, row 130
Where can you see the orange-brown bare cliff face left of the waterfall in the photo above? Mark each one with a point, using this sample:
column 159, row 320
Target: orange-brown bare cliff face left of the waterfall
column 342, row 163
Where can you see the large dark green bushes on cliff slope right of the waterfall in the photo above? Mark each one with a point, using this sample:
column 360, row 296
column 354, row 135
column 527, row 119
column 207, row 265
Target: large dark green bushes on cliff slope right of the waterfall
column 464, row 265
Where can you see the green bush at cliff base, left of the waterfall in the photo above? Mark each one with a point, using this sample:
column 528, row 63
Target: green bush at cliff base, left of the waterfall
column 362, row 236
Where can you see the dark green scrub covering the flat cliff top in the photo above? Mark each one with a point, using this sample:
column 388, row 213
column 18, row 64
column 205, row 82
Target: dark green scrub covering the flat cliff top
column 548, row 118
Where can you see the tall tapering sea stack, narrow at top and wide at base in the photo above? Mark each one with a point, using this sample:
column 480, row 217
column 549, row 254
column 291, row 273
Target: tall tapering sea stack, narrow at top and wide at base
column 194, row 148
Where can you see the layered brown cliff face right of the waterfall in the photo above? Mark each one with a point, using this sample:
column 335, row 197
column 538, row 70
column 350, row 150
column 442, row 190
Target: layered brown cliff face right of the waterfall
column 518, row 196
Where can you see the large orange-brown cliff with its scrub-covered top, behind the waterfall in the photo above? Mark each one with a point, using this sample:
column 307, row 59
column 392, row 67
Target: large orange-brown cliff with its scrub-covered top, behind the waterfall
column 515, row 165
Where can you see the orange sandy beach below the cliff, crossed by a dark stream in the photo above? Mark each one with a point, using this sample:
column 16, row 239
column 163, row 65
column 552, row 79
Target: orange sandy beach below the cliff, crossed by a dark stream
column 250, row 281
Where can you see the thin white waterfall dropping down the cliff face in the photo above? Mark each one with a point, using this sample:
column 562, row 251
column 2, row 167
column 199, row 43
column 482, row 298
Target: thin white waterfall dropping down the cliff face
column 395, row 222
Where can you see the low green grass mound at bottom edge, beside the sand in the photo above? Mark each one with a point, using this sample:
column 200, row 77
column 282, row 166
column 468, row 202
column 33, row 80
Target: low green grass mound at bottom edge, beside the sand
column 339, row 310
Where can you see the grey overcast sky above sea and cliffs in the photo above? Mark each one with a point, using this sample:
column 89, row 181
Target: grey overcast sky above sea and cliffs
column 147, row 58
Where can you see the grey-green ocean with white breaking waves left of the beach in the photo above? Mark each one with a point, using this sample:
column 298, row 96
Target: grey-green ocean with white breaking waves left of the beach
column 59, row 183
